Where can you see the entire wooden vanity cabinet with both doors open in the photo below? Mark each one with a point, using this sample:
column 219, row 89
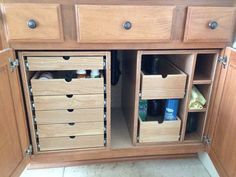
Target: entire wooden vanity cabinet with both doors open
column 72, row 119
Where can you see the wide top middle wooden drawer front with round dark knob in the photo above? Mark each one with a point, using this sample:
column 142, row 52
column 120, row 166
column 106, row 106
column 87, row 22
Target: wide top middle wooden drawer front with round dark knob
column 111, row 23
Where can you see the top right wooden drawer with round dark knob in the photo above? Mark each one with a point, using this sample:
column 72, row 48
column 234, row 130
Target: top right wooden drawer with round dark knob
column 201, row 20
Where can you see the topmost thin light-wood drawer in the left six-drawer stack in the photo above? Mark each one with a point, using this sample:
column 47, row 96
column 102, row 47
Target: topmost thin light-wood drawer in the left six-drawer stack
column 64, row 63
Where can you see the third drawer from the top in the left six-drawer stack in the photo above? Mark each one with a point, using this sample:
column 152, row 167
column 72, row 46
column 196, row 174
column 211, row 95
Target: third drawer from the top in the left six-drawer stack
column 65, row 102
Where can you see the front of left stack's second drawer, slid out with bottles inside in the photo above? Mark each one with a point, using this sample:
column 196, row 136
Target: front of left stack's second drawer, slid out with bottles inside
column 62, row 87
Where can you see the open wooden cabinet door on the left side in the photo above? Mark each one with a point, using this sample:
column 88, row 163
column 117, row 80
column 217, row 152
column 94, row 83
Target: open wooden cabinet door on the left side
column 14, row 139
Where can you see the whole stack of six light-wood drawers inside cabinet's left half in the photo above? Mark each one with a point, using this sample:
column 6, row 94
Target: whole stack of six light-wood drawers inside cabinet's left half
column 69, row 112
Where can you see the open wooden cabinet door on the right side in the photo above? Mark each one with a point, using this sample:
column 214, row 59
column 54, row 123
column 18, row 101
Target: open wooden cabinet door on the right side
column 223, row 145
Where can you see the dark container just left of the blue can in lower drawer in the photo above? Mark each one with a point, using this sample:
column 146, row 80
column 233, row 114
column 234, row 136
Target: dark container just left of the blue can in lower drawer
column 154, row 107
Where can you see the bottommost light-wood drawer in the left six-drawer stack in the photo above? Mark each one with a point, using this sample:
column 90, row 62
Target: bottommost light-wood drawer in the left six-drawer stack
column 71, row 142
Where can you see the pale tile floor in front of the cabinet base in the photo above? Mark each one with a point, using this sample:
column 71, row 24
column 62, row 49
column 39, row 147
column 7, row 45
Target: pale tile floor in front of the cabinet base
column 191, row 167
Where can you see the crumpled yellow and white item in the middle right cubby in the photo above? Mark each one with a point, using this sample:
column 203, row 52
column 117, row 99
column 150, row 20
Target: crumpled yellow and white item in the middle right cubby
column 197, row 100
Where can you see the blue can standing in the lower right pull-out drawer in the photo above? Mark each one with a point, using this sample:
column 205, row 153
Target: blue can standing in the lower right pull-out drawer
column 171, row 109
